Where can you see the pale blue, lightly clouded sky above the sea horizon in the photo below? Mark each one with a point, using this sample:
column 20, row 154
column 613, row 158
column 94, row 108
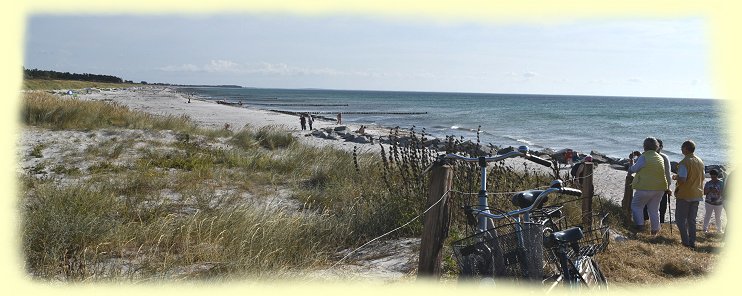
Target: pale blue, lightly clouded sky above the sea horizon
column 615, row 57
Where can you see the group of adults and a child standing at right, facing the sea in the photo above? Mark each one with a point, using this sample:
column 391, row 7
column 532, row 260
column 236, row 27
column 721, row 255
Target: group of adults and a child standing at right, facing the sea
column 652, row 182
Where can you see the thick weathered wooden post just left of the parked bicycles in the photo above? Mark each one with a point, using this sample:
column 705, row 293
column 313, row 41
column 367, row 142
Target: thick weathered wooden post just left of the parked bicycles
column 436, row 223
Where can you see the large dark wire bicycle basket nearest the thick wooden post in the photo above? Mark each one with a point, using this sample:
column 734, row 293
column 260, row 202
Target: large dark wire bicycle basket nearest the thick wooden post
column 513, row 250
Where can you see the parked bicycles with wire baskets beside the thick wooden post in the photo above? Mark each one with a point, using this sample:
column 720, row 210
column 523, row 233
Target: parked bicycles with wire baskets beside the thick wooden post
column 516, row 250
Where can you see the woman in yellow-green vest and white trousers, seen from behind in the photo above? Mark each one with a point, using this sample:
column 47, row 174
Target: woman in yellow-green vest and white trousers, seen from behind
column 649, row 185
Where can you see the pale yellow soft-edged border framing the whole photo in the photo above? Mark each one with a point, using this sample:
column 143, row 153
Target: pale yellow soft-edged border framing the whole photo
column 725, row 47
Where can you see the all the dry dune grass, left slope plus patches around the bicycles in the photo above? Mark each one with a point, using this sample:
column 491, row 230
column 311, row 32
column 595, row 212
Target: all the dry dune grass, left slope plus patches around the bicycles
column 264, row 208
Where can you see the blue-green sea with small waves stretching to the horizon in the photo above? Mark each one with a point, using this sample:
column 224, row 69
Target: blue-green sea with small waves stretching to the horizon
column 614, row 126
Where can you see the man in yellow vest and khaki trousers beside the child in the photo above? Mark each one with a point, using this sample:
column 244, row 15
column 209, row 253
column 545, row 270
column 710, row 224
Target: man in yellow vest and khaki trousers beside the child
column 688, row 193
